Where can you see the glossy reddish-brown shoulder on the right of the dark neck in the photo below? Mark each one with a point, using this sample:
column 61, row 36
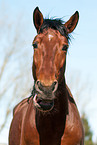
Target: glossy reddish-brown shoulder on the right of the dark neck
column 73, row 133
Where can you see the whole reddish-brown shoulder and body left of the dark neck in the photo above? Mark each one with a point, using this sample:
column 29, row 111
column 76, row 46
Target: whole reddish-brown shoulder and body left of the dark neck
column 23, row 127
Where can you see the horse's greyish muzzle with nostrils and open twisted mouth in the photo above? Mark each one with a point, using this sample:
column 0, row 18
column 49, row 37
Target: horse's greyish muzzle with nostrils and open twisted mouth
column 44, row 96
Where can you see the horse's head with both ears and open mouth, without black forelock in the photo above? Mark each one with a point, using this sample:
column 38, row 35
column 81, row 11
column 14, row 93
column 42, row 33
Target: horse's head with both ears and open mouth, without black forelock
column 50, row 48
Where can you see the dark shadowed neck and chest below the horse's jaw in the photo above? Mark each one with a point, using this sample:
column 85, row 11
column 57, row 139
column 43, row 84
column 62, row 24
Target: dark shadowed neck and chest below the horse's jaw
column 51, row 125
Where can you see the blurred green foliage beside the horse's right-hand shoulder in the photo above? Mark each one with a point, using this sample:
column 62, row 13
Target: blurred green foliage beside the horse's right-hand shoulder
column 88, row 132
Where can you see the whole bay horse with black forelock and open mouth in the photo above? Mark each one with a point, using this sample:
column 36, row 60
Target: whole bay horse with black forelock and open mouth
column 49, row 116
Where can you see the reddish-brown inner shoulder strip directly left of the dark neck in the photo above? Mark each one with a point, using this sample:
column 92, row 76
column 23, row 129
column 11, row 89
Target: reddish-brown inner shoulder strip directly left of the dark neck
column 29, row 132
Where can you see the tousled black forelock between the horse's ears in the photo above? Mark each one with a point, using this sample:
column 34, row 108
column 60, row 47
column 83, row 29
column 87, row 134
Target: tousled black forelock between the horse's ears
column 56, row 24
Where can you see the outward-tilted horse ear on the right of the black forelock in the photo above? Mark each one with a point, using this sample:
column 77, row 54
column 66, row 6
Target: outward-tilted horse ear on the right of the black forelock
column 72, row 22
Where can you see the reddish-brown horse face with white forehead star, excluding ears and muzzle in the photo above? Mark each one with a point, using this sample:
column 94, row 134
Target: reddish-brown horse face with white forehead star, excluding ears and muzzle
column 50, row 49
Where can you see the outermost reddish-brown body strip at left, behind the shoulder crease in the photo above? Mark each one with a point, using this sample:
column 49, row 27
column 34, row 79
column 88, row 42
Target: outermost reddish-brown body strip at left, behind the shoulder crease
column 17, row 121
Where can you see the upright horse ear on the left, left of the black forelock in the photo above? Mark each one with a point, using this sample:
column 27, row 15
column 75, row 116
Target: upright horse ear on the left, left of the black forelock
column 37, row 18
